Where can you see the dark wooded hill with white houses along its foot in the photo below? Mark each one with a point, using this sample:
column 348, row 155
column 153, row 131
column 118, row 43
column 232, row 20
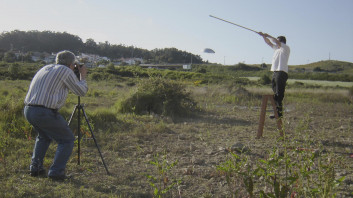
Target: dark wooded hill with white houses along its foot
column 48, row 41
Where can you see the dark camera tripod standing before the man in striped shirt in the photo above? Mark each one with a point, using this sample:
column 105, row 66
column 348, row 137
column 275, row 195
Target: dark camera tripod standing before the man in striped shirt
column 80, row 108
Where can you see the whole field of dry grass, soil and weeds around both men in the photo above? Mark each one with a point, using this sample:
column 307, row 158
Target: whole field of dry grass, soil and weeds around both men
column 191, row 156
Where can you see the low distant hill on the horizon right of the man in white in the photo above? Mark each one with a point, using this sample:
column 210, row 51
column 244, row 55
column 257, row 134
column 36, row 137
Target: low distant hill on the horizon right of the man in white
column 326, row 66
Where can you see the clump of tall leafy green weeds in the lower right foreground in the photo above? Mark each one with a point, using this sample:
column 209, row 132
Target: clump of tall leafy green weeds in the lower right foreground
column 291, row 168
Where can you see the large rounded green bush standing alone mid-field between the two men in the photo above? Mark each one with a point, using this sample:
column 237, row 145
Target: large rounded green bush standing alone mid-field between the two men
column 160, row 96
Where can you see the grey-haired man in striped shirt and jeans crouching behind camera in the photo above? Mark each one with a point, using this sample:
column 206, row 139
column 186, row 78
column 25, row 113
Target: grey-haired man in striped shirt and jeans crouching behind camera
column 46, row 95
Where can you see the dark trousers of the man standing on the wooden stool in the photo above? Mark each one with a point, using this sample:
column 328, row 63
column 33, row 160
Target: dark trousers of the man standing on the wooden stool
column 279, row 80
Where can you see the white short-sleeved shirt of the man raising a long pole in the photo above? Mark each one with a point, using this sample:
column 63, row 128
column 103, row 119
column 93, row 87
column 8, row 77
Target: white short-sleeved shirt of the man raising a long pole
column 280, row 58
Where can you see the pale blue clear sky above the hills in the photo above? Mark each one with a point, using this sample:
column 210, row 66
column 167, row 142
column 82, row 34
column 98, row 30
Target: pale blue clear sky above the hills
column 315, row 29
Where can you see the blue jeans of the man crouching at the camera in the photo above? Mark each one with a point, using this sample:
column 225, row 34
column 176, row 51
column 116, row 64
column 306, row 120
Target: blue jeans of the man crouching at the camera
column 50, row 125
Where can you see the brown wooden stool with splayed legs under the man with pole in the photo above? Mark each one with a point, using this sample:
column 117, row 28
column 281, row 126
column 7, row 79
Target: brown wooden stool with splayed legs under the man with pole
column 265, row 99
